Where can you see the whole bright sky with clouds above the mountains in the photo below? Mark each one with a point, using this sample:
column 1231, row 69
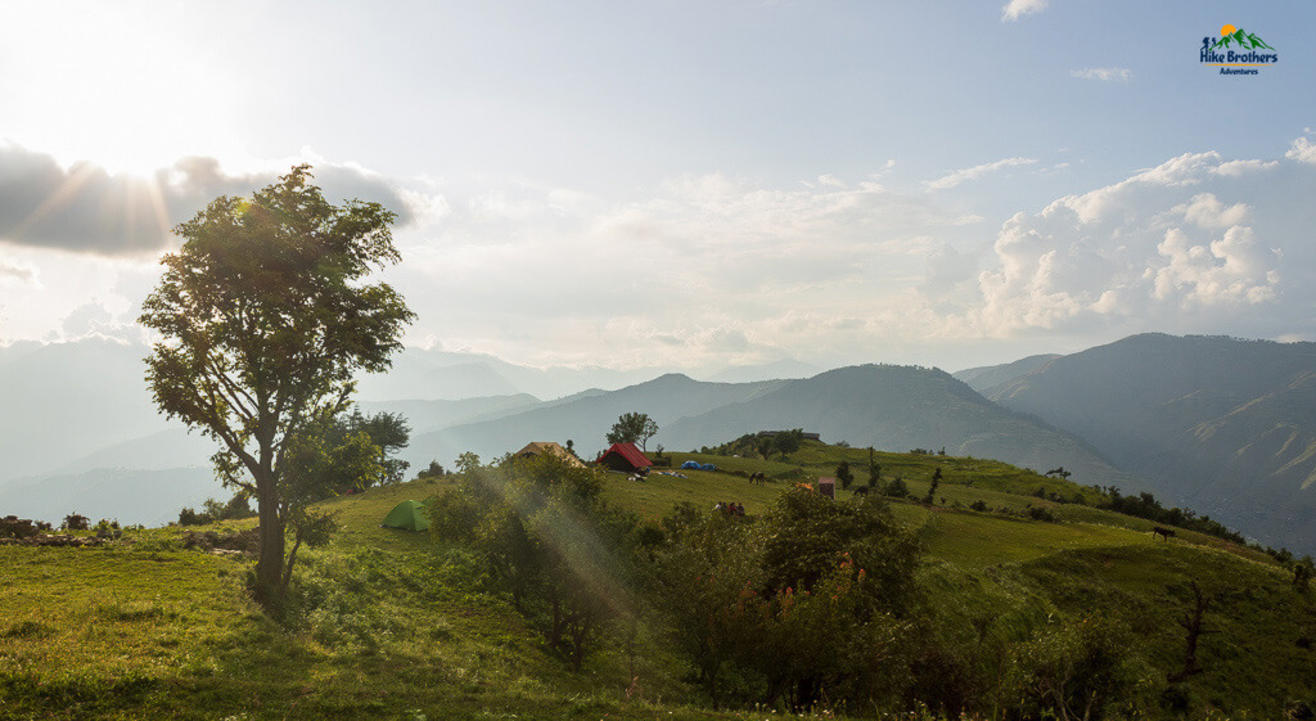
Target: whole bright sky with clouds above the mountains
column 689, row 185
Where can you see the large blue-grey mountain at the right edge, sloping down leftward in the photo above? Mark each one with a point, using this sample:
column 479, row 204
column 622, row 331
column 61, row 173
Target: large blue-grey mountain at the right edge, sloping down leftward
column 1221, row 426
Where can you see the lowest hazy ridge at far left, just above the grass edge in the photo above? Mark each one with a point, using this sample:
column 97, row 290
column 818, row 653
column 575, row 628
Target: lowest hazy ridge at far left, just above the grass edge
column 132, row 497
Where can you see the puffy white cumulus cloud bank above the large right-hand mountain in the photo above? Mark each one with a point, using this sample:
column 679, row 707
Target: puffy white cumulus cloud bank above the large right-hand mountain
column 1190, row 244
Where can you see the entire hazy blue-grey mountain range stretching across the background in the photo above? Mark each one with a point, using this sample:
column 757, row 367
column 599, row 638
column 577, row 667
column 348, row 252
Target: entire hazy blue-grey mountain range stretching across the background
column 1219, row 426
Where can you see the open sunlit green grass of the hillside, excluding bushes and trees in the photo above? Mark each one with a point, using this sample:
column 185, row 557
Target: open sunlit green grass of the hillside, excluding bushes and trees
column 399, row 627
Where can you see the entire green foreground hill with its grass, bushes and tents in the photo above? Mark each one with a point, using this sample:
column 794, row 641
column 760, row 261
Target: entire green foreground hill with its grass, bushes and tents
column 1006, row 565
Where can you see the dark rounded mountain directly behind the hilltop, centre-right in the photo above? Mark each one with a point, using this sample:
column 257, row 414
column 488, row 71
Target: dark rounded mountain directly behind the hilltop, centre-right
column 901, row 409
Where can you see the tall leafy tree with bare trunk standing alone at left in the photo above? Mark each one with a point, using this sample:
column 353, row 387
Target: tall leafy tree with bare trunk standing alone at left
column 265, row 315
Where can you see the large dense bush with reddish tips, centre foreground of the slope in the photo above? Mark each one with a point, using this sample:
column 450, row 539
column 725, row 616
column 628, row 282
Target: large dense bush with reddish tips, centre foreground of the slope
column 802, row 605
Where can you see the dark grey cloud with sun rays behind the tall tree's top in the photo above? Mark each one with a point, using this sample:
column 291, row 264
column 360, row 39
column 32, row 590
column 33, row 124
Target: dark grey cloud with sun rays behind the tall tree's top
column 86, row 210
